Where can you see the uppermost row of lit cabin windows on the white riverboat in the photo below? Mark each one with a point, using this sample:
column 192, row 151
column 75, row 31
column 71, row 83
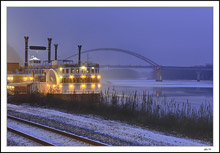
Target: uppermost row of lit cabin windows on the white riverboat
column 77, row 70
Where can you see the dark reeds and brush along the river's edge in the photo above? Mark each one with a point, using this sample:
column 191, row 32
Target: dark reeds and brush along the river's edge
column 143, row 110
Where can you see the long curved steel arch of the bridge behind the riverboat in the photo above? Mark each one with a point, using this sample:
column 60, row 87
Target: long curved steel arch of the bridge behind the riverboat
column 122, row 51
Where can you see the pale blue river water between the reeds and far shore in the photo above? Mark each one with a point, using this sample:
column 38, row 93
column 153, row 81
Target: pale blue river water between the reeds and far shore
column 192, row 91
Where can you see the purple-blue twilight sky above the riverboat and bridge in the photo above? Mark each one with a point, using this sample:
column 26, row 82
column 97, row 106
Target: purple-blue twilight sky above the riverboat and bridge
column 174, row 36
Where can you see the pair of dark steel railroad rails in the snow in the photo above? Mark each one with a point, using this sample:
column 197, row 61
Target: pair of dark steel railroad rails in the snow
column 51, row 129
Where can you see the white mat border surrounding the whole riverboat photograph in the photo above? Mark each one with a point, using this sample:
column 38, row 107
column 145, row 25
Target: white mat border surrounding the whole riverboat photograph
column 214, row 4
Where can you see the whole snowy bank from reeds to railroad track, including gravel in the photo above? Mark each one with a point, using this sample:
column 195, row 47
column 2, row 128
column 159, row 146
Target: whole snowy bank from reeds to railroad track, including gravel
column 112, row 132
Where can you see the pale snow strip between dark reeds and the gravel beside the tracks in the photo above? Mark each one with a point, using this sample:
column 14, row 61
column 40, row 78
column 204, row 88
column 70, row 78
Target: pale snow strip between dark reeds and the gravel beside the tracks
column 115, row 129
